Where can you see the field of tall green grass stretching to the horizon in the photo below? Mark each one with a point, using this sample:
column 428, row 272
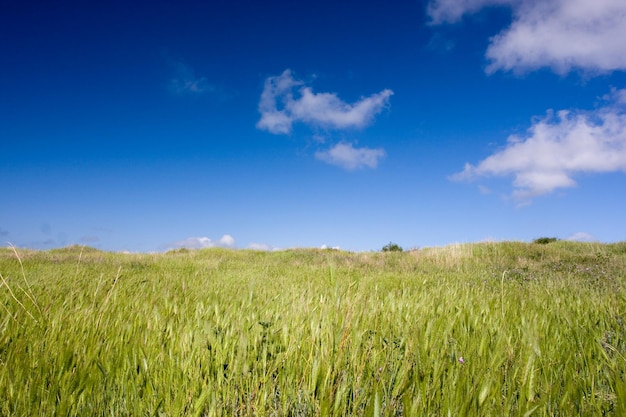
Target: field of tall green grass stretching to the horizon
column 488, row 329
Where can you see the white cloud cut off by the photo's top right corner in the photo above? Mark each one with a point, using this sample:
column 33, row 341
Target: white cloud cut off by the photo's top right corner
column 560, row 34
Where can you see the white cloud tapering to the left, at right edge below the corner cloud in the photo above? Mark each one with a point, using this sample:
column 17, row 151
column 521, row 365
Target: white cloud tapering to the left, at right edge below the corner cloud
column 556, row 148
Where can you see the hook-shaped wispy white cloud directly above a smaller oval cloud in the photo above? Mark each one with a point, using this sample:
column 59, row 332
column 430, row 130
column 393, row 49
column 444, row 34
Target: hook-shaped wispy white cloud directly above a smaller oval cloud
column 317, row 109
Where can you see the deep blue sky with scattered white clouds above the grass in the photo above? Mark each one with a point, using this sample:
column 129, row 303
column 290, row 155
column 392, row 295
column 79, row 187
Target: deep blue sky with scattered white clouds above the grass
column 145, row 126
